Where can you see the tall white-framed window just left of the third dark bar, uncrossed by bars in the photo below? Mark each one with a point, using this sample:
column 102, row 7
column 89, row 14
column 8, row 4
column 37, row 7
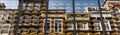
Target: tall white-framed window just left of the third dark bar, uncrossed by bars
column 58, row 25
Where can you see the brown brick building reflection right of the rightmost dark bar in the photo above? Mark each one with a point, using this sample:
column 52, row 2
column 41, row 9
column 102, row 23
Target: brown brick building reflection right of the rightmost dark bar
column 115, row 12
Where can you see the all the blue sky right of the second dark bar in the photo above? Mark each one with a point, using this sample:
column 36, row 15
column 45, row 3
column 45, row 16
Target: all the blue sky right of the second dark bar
column 67, row 4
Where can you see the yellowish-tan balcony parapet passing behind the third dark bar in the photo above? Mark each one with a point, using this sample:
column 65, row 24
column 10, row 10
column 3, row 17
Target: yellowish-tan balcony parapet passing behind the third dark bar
column 78, row 16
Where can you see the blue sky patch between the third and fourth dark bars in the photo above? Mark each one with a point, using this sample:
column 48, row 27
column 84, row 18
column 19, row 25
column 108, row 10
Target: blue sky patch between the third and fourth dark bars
column 81, row 4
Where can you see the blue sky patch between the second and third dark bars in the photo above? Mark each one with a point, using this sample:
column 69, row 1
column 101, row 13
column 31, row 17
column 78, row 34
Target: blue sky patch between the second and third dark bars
column 61, row 4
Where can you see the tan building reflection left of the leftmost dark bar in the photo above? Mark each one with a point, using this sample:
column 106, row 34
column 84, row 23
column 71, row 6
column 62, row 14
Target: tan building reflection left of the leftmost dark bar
column 8, row 20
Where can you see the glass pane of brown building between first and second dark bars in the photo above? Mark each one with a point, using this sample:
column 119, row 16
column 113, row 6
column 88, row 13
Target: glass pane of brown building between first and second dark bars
column 30, row 22
